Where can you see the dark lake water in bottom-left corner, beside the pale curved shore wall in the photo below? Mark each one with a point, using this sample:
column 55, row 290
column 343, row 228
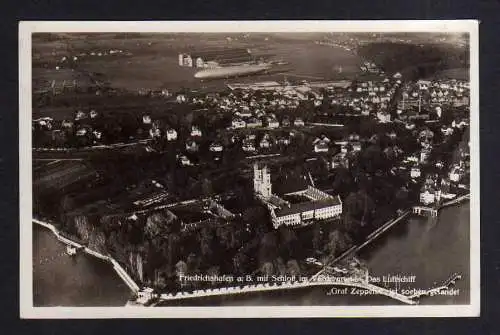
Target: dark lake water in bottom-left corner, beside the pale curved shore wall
column 82, row 280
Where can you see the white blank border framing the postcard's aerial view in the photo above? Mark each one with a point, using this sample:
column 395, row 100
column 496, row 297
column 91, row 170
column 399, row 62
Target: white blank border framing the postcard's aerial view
column 27, row 310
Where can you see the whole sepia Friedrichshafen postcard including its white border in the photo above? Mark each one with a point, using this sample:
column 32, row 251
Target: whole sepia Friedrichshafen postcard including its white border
column 249, row 169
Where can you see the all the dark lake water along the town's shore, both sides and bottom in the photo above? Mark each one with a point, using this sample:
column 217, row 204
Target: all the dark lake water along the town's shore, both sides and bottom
column 430, row 249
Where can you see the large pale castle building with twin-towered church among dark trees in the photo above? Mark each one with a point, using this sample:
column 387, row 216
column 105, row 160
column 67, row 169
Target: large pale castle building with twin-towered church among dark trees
column 319, row 206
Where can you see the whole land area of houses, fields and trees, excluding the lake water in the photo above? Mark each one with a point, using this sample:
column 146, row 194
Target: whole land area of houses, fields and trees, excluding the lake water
column 190, row 160
